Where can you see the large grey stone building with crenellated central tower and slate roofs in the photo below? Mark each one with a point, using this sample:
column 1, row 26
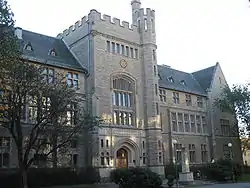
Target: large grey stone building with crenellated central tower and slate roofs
column 150, row 111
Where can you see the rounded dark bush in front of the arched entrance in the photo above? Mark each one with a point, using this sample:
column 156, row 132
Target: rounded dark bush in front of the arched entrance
column 136, row 178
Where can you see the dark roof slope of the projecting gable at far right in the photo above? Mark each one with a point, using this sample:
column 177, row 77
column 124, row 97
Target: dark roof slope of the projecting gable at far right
column 205, row 76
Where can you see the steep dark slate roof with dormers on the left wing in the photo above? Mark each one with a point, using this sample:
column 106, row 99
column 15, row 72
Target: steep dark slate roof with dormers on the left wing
column 41, row 47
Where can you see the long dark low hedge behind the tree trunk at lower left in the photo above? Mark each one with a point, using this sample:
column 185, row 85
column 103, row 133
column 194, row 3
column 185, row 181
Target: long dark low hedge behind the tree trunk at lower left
column 38, row 177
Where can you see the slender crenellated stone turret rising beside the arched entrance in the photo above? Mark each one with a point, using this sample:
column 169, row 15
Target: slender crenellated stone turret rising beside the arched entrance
column 145, row 22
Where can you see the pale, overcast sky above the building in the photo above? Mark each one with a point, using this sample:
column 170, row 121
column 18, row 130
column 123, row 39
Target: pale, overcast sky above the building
column 191, row 34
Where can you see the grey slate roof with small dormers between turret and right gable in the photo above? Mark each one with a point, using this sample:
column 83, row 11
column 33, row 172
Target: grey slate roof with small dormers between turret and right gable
column 178, row 80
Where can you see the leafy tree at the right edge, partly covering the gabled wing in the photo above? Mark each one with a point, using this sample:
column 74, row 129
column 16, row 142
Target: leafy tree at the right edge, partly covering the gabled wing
column 236, row 100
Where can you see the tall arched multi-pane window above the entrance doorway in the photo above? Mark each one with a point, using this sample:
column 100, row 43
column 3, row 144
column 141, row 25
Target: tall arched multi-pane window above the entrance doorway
column 123, row 101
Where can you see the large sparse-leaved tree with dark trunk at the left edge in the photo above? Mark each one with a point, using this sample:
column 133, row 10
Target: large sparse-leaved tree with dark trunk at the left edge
column 41, row 115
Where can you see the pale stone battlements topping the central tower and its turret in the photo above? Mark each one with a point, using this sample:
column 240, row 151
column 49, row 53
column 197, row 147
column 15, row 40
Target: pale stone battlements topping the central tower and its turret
column 95, row 17
